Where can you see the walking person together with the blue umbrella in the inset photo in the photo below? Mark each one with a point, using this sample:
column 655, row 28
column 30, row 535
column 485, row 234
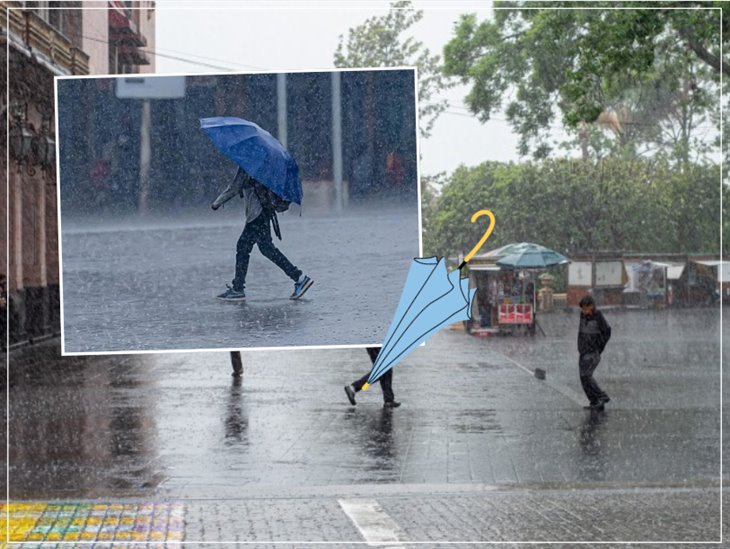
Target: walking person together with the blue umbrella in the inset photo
column 268, row 180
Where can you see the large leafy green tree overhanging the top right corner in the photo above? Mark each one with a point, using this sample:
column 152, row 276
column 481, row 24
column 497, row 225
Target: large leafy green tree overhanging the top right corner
column 646, row 76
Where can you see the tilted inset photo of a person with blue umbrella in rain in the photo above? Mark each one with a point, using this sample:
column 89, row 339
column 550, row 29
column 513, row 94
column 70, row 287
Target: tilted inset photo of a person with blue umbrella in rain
column 145, row 258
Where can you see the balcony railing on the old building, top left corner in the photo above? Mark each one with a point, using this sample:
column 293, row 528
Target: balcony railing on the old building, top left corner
column 42, row 38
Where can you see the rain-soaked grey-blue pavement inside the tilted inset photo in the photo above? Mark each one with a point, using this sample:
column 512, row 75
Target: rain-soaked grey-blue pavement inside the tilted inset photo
column 151, row 284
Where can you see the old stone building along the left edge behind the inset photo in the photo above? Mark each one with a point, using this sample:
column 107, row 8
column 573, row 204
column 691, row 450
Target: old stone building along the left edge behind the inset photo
column 48, row 39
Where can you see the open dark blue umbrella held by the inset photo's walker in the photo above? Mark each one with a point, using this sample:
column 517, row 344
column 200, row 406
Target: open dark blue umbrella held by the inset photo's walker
column 257, row 152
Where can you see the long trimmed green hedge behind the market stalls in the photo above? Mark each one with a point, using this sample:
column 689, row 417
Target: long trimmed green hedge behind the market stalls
column 572, row 206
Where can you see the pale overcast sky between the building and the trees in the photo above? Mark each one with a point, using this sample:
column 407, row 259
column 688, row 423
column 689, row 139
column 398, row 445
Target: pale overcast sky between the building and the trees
column 304, row 35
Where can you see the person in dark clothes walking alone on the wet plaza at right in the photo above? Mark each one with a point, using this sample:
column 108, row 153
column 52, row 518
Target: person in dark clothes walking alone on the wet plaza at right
column 593, row 335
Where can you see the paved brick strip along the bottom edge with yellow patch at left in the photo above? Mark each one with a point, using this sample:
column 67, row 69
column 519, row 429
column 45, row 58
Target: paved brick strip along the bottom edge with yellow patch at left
column 443, row 514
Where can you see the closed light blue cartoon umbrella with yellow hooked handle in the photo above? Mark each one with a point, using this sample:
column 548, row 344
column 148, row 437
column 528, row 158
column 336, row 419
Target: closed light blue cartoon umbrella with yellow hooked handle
column 432, row 298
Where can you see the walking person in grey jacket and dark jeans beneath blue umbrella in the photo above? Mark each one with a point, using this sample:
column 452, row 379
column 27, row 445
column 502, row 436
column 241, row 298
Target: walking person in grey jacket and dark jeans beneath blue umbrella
column 257, row 230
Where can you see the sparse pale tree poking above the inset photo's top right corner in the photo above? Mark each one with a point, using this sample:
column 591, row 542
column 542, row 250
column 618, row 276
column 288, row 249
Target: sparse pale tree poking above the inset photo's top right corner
column 379, row 42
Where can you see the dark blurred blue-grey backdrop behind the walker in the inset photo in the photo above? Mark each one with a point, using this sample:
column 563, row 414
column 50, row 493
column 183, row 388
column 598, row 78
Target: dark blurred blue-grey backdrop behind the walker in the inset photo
column 352, row 133
